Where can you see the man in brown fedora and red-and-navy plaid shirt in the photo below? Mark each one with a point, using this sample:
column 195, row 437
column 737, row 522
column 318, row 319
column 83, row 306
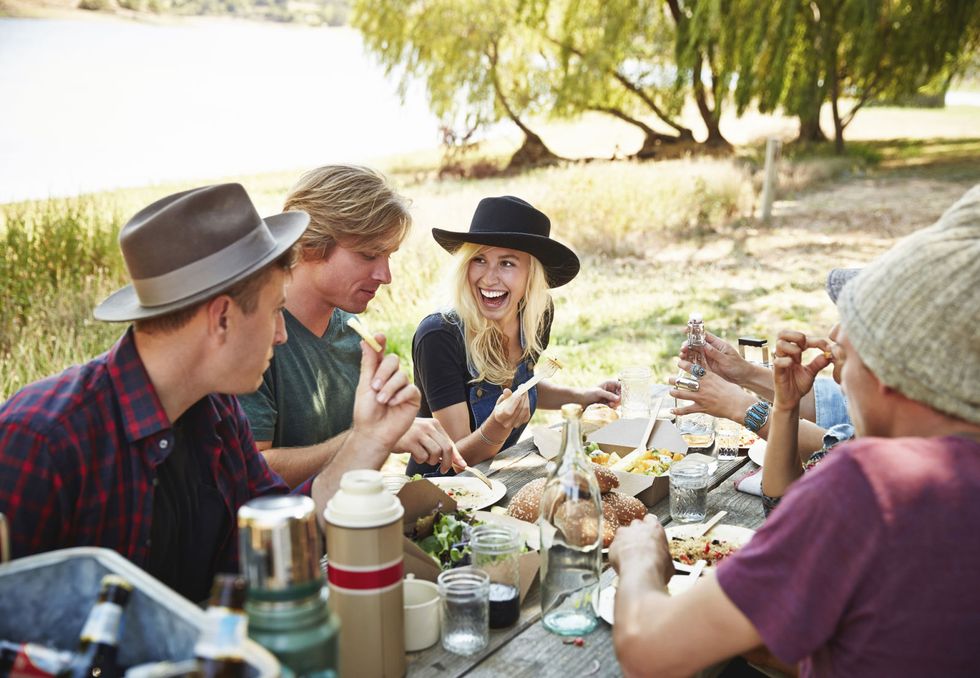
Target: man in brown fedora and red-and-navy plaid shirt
column 145, row 449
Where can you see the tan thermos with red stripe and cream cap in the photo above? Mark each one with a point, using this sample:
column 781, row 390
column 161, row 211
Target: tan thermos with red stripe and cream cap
column 365, row 571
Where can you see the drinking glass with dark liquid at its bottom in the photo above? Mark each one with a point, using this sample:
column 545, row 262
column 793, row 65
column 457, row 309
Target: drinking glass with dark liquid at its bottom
column 496, row 550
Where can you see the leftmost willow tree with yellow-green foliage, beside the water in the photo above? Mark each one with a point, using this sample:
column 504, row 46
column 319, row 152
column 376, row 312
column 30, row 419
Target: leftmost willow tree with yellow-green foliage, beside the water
column 479, row 63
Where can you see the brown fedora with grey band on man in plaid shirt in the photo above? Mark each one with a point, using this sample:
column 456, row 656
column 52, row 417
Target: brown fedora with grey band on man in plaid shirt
column 190, row 246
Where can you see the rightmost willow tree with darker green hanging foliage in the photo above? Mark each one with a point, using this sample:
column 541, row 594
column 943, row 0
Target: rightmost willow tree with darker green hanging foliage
column 848, row 52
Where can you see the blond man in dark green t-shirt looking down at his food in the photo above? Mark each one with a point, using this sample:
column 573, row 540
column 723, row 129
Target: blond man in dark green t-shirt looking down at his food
column 303, row 410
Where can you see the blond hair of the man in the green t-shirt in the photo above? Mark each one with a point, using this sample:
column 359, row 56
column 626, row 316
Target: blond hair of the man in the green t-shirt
column 350, row 204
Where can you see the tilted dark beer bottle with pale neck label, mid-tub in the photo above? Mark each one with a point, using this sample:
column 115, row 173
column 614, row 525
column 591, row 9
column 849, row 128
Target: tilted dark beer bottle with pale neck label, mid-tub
column 99, row 642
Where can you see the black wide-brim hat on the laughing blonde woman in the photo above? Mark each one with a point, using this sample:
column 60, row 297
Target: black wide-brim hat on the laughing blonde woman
column 510, row 222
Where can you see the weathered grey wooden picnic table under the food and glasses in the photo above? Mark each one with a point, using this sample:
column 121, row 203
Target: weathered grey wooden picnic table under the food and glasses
column 527, row 648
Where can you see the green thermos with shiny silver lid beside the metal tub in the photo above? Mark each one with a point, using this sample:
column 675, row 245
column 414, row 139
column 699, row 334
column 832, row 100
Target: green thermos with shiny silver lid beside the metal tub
column 280, row 552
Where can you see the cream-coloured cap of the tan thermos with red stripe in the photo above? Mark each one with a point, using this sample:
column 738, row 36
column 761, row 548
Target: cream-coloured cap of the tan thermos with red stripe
column 362, row 502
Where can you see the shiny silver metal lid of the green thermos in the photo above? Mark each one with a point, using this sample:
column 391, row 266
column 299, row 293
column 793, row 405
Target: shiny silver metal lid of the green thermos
column 279, row 543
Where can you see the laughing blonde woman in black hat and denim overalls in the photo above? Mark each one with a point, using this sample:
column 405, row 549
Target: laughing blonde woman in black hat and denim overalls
column 470, row 358
